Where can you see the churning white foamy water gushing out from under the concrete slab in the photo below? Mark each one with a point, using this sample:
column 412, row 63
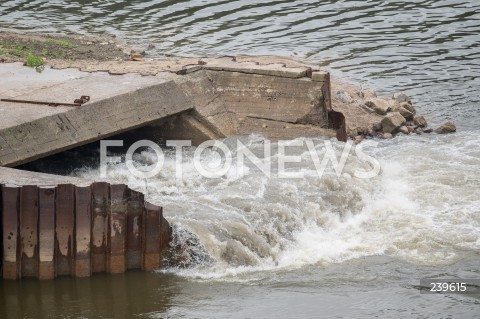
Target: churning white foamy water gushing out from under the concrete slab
column 423, row 207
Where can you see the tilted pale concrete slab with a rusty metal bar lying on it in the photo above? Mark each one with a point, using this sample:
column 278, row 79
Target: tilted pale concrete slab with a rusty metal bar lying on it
column 118, row 104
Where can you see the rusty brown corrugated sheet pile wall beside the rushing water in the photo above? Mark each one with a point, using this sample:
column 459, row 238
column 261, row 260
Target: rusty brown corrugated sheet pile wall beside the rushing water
column 70, row 230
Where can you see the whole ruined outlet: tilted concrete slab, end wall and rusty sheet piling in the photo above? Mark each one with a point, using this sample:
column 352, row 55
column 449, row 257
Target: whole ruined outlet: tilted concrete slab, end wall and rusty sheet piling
column 55, row 226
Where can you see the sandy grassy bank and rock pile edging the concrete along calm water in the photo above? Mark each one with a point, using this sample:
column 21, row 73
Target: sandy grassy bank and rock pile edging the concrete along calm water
column 365, row 113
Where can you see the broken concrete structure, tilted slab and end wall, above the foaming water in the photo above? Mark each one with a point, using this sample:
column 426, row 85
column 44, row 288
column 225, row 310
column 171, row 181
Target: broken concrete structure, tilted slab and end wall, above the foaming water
column 214, row 98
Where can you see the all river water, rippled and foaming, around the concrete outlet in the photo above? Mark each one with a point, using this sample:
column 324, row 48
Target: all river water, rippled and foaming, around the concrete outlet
column 317, row 247
